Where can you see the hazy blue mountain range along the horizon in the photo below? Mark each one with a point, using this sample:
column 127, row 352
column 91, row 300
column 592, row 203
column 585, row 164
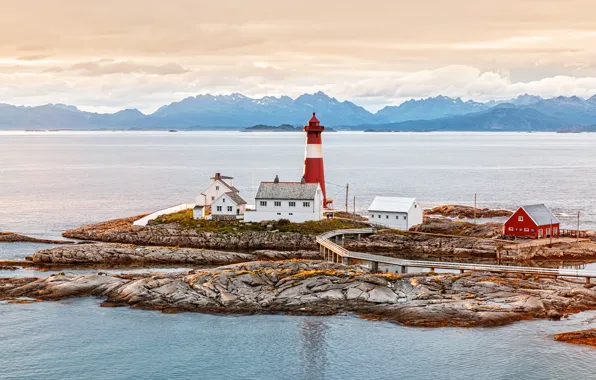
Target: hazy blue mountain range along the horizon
column 236, row 111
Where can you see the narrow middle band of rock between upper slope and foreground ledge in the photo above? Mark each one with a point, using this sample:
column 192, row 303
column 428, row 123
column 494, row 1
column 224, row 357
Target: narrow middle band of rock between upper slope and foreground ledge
column 120, row 254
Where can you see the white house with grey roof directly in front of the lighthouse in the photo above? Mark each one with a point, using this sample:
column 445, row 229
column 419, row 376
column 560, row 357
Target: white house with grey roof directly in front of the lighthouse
column 295, row 201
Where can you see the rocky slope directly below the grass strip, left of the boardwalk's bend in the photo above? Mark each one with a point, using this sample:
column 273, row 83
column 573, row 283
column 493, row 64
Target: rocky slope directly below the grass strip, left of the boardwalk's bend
column 123, row 231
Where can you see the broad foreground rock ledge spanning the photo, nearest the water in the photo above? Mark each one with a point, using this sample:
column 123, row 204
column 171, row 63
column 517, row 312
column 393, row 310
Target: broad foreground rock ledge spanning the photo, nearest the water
column 318, row 288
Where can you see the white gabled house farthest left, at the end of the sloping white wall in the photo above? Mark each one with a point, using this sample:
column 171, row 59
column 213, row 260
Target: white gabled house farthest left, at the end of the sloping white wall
column 219, row 186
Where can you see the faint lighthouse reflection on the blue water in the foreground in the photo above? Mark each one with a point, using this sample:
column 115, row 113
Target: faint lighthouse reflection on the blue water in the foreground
column 313, row 348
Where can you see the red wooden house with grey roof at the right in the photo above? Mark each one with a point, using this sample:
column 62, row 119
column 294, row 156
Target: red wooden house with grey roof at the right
column 533, row 221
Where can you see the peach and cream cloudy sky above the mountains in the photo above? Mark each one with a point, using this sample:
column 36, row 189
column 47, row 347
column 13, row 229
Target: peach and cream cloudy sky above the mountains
column 108, row 55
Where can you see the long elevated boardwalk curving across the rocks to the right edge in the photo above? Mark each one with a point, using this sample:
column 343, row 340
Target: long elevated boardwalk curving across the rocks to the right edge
column 331, row 251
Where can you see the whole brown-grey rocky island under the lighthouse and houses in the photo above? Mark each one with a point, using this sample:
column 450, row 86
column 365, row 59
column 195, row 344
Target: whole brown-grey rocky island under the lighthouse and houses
column 273, row 267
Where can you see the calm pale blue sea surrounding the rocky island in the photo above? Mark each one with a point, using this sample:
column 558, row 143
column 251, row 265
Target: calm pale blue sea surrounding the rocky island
column 52, row 181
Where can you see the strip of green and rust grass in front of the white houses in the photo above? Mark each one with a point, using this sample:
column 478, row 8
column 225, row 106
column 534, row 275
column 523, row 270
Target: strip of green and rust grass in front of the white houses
column 185, row 220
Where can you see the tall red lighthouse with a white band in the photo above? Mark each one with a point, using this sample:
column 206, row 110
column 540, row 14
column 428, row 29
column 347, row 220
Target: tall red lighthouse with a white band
column 314, row 171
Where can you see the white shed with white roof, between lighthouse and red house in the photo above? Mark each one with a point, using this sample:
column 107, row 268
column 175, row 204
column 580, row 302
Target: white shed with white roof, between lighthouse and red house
column 396, row 213
